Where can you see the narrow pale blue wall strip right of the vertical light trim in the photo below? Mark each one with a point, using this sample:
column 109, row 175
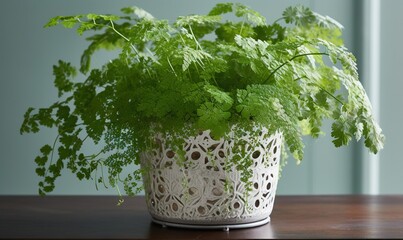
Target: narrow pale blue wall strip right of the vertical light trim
column 391, row 114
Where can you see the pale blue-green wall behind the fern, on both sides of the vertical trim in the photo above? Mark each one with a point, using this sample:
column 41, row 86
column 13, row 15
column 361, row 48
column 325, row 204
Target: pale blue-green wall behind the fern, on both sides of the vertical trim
column 28, row 52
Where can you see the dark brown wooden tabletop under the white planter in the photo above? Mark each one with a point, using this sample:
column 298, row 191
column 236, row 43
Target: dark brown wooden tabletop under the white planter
column 98, row 217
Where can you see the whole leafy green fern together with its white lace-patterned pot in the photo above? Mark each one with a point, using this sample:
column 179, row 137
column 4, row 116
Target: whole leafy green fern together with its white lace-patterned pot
column 205, row 105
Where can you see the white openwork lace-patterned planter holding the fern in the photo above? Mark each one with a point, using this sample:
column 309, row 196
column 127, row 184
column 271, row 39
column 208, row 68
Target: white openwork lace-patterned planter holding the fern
column 200, row 188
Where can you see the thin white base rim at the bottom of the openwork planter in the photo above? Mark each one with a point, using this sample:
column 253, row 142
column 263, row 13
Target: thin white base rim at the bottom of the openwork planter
column 224, row 227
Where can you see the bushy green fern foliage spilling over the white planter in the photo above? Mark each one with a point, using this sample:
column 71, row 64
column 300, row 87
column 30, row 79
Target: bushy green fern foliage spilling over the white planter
column 200, row 71
